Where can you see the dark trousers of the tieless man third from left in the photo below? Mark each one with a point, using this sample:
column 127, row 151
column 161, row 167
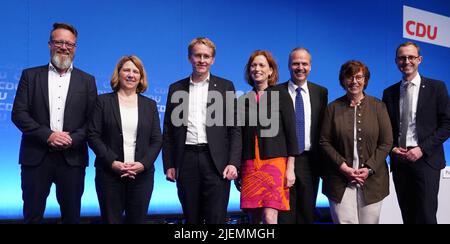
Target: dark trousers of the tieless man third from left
column 202, row 191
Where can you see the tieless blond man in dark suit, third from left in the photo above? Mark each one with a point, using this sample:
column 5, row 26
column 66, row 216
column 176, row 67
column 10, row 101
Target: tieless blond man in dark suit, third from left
column 202, row 157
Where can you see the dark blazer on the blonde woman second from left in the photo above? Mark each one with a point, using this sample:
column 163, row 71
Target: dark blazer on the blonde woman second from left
column 105, row 132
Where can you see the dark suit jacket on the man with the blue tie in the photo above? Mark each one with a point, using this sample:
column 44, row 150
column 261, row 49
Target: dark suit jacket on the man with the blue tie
column 318, row 96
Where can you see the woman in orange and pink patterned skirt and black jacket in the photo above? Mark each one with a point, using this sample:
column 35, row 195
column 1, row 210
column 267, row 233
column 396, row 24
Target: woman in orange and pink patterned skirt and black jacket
column 269, row 141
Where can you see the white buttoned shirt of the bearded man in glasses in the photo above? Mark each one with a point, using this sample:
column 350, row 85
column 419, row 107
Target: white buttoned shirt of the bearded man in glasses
column 58, row 87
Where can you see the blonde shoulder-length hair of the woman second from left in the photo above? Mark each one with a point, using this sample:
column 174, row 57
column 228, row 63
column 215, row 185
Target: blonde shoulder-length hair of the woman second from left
column 115, row 79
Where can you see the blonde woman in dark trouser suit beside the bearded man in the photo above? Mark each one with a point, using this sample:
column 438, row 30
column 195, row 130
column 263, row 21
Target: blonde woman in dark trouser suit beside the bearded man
column 125, row 135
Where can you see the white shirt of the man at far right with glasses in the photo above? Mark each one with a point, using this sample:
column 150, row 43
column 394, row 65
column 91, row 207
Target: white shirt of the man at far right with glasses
column 411, row 135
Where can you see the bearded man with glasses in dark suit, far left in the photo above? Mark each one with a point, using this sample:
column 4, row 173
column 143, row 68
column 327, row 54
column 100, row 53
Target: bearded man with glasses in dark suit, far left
column 51, row 108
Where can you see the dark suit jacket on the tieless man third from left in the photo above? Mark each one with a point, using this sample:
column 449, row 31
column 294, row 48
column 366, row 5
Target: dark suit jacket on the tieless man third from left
column 224, row 141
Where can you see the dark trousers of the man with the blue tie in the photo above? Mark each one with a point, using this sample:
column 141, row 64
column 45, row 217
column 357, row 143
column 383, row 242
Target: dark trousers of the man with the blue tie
column 303, row 195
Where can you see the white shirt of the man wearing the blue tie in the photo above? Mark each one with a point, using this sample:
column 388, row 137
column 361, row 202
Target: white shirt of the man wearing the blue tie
column 307, row 108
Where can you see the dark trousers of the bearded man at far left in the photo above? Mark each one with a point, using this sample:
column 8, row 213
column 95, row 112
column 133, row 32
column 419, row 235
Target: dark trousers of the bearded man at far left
column 36, row 184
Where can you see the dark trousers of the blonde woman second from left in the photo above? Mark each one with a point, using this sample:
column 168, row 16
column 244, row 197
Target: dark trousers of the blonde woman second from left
column 117, row 196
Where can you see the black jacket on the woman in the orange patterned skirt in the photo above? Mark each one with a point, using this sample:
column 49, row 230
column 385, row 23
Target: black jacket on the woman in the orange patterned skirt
column 284, row 142
